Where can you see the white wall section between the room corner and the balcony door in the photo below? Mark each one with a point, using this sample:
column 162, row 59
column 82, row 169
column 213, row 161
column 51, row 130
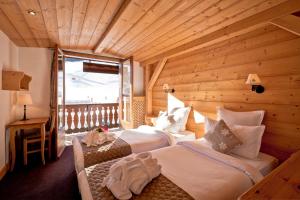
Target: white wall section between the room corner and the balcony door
column 36, row 62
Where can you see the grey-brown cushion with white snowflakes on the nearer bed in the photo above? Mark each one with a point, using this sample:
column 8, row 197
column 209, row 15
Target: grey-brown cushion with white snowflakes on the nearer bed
column 221, row 138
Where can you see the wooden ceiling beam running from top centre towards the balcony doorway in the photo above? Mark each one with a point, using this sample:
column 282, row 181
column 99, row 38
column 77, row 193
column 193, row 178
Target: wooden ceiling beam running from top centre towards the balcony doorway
column 122, row 8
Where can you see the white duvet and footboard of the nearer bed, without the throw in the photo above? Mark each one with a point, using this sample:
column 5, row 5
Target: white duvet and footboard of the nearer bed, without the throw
column 202, row 172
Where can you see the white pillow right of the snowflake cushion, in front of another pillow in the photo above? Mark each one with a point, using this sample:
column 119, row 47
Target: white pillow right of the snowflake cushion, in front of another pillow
column 250, row 136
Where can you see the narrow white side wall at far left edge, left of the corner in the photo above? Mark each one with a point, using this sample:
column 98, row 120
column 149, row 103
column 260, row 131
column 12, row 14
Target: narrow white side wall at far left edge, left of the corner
column 8, row 60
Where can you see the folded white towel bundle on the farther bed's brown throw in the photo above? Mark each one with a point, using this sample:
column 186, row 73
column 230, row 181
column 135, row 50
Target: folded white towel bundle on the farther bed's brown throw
column 95, row 138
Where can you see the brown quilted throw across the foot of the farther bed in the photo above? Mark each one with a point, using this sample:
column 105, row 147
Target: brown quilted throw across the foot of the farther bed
column 116, row 148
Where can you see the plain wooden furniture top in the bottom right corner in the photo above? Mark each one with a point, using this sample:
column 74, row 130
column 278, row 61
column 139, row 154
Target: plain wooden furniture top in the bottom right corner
column 282, row 183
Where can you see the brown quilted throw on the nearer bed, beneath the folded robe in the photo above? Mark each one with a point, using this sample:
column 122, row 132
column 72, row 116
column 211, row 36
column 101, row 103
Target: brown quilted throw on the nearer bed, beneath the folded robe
column 159, row 188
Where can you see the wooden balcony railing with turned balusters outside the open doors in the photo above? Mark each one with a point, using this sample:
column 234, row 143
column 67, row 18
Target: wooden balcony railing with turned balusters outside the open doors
column 84, row 117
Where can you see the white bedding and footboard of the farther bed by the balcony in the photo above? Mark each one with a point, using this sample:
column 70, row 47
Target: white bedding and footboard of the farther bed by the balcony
column 144, row 138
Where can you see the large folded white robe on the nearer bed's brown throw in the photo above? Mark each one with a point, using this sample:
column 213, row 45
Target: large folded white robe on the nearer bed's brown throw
column 131, row 174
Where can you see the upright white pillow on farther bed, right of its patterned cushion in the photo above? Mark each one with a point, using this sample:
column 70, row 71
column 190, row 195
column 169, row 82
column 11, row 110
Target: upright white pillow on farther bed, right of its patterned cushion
column 180, row 116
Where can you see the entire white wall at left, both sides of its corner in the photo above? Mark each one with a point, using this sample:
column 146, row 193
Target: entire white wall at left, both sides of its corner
column 35, row 62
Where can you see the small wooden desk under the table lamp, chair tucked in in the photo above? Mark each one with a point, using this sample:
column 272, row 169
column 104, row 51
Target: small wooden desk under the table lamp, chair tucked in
column 27, row 124
